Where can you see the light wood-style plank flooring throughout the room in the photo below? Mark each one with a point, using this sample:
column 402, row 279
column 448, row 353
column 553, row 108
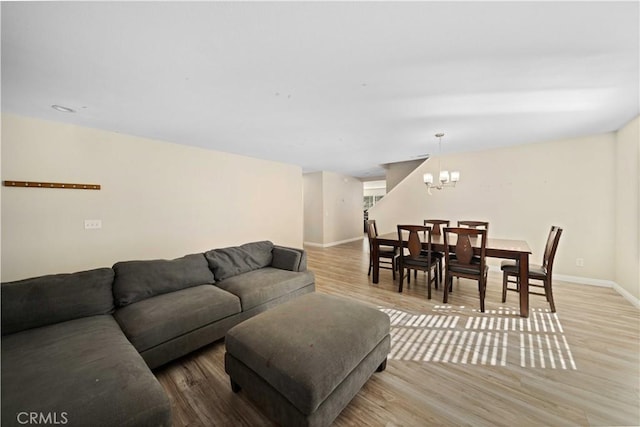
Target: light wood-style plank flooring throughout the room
column 451, row 365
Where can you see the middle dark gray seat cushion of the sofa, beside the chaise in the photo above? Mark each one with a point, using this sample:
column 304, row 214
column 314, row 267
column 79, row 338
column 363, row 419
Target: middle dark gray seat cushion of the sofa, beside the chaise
column 161, row 318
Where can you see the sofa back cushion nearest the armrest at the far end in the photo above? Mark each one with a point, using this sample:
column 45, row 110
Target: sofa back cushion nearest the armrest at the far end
column 229, row 262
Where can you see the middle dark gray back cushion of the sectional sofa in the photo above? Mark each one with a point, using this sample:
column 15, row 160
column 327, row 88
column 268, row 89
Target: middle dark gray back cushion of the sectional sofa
column 139, row 280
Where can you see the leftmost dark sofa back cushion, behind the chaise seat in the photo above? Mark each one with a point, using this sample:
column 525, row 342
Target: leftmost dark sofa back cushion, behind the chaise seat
column 55, row 298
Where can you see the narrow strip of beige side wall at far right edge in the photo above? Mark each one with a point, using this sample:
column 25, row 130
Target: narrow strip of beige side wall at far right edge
column 627, row 270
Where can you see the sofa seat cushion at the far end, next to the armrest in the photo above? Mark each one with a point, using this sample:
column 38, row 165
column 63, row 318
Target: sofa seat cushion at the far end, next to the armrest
column 260, row 286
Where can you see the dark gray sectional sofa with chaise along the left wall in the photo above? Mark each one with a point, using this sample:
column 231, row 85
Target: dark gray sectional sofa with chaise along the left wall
column 78, row 349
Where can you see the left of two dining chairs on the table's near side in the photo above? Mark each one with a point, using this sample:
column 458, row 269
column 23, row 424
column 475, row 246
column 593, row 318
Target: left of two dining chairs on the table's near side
column 413, row 256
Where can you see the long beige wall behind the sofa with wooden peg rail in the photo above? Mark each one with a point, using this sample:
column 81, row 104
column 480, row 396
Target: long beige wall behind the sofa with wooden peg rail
column 158, row 200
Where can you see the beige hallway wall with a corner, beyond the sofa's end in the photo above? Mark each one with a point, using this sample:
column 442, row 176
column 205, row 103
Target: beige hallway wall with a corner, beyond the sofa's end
column 335, row 214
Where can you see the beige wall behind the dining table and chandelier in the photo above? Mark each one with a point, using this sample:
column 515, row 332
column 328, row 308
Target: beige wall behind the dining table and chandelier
column 522, row 191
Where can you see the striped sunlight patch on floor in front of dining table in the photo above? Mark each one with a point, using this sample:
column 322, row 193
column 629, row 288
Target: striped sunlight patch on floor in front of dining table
column 465, row 336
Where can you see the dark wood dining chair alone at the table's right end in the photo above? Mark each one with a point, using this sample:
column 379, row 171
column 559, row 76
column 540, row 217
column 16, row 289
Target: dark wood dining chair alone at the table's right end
column 540, row 273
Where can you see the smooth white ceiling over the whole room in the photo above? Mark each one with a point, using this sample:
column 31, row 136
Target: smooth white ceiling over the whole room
column 336, row 86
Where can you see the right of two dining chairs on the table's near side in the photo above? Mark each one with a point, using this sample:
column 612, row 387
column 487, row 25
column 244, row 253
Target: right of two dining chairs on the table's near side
column 462, row 263
